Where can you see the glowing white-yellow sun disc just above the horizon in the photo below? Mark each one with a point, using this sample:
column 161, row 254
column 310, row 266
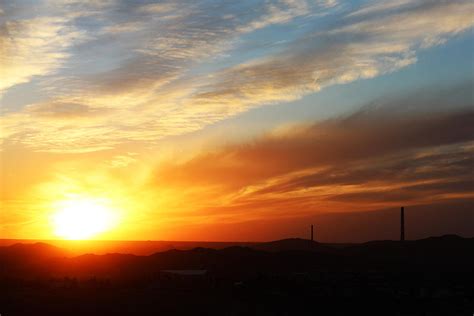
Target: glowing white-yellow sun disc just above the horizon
column 82, row 218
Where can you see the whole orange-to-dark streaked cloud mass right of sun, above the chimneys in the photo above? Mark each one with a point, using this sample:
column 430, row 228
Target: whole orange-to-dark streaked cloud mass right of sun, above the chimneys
column 375, row 158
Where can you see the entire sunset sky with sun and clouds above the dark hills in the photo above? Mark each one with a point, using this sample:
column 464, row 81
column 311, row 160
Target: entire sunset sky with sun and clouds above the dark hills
column 236, row 120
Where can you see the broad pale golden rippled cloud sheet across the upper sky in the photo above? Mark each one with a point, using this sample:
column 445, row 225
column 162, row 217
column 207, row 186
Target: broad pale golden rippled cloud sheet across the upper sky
column 145, row 72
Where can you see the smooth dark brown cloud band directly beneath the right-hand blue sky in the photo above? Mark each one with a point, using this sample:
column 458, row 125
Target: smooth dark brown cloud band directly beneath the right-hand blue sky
column 329, row 144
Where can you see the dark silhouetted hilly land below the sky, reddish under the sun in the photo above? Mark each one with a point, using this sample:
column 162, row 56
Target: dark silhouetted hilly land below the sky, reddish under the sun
column 432, row 276
